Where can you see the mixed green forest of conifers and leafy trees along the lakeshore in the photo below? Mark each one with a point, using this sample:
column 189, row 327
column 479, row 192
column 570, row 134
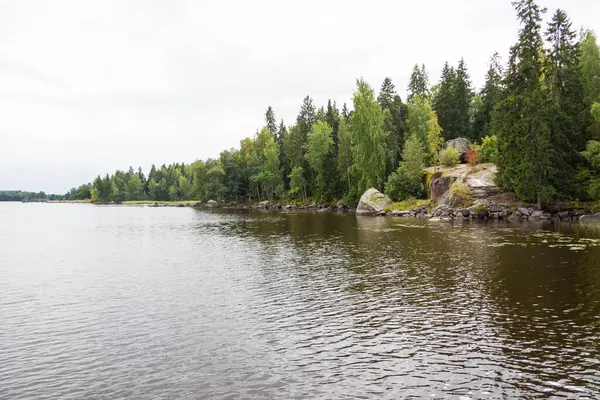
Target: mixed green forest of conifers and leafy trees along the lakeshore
column 537, row 117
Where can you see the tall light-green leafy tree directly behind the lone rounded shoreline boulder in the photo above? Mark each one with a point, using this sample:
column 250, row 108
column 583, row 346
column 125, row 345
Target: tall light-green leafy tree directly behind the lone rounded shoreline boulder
column 369, row 138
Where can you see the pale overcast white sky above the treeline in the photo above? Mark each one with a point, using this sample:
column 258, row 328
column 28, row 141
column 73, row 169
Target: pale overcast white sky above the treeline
column 88, row 87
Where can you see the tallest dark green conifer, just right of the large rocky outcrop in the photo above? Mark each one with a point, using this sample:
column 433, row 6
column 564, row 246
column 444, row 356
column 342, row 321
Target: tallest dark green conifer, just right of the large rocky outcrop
column 524, row 163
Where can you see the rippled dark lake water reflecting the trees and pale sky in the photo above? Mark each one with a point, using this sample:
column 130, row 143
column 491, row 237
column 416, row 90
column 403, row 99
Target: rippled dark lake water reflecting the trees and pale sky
column 139, row 302
